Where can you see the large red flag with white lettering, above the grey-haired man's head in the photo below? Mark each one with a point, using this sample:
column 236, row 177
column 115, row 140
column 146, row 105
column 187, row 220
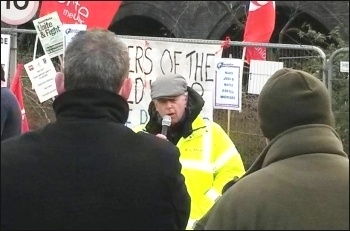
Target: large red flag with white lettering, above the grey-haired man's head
column 91, row 13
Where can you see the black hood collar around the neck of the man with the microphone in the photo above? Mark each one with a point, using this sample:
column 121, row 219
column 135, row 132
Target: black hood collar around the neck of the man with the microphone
column 194, row 106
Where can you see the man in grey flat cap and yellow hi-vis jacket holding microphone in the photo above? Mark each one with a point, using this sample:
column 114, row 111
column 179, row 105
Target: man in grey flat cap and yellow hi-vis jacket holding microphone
column 208, row 156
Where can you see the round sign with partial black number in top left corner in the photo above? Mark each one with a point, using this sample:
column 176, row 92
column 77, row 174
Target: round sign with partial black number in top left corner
column 18, row 12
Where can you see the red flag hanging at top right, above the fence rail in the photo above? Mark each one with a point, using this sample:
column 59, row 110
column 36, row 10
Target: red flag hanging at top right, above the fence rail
column 259, row 27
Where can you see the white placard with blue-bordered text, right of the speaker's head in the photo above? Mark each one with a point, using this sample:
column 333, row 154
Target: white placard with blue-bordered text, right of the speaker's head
column 228, row 84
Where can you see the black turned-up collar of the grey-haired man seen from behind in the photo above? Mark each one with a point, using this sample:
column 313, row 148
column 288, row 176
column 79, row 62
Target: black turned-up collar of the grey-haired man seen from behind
column 91, row 104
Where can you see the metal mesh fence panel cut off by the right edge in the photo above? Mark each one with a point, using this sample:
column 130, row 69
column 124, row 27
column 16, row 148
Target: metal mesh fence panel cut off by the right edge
column 338, row 86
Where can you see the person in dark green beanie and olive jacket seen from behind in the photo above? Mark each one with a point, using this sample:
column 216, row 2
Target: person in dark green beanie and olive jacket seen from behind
column 300, row 181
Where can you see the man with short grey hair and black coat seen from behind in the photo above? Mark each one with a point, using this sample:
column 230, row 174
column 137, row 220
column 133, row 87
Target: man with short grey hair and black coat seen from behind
column 87, row 170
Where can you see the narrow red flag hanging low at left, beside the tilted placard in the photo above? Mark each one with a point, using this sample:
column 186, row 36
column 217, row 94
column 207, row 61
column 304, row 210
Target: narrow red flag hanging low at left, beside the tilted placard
column 16, row 88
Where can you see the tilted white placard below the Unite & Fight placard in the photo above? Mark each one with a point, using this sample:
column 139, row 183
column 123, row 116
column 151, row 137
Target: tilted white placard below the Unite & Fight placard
column 41, row 73
